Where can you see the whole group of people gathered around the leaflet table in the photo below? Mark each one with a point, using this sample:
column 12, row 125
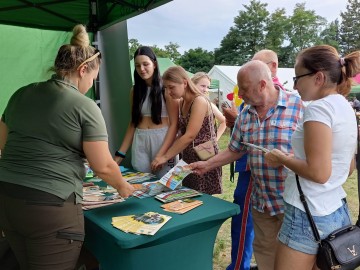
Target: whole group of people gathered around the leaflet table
column 49, row 128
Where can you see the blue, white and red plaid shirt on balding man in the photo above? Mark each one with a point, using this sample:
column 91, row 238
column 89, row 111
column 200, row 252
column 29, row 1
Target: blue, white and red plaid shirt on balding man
column 273, row 132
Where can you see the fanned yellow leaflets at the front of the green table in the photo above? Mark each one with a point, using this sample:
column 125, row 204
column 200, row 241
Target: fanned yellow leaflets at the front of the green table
column 148, row 223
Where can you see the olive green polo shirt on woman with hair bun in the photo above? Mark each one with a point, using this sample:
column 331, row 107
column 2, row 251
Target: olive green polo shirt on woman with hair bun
column 47, row 124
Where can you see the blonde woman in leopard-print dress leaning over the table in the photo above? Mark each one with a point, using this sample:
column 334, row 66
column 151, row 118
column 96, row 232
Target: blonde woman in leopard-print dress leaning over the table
column 195, row 127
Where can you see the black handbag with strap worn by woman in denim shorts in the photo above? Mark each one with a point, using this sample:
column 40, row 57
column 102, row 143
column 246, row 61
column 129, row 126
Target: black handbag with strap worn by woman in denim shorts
column 341, row 249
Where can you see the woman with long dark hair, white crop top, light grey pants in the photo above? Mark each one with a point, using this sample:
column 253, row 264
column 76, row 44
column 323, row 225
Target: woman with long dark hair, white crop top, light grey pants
column 153, row 124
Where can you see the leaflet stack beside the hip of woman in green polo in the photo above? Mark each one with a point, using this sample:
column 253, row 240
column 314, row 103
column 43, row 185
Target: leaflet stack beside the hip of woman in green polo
column 94, row 197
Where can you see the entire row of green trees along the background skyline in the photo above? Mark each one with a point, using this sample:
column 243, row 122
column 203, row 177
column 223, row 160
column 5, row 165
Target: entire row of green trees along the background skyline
column 255, row 28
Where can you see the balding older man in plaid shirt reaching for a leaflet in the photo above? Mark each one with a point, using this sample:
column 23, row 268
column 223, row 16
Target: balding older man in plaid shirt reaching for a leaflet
column 268, row 120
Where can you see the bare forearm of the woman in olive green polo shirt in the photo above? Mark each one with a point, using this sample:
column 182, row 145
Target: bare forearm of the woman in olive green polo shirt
column 101, row 162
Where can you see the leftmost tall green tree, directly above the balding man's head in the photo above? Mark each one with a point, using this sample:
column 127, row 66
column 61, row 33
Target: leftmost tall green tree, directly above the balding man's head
column 246, row 37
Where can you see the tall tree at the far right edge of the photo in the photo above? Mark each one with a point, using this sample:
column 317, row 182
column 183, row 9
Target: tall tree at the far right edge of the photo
column 350, row 27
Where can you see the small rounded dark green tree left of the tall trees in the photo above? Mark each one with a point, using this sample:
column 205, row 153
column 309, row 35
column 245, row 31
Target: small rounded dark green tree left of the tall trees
column 196, row 60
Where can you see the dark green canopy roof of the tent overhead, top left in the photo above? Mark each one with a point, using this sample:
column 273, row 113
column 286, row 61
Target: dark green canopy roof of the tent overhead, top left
column 63, row 15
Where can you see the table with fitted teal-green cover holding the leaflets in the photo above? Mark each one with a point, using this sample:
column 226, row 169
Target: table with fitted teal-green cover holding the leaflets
column 184, row 242
